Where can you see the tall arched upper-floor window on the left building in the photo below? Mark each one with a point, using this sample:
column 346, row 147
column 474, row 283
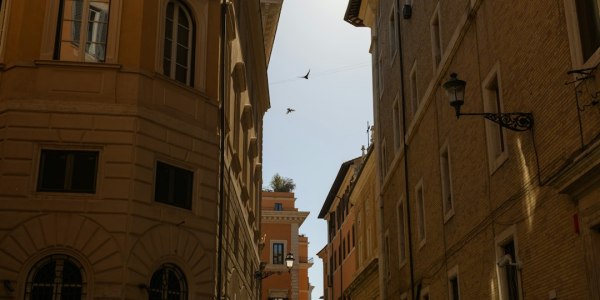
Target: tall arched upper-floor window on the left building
column 178, row 51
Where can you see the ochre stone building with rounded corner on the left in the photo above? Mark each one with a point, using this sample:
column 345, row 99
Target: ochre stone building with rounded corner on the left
column 118, row 172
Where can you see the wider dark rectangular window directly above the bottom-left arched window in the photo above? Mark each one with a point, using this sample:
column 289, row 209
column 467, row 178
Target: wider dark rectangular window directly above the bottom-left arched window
column 68, row 171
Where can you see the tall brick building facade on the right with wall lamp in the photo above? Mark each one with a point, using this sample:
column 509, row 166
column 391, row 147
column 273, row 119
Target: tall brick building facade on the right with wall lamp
column 470, row 209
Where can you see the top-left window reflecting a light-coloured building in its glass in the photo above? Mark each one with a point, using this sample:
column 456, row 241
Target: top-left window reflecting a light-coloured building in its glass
column 82, row 31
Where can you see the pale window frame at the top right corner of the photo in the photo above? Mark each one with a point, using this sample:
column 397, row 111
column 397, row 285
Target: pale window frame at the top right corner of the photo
column 575, row 38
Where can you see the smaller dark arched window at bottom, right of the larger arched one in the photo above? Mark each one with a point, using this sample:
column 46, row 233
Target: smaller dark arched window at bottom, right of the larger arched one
column 168, row 283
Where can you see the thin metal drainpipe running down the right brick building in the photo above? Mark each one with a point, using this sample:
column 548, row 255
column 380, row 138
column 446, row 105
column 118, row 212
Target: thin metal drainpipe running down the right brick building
column 406, row 181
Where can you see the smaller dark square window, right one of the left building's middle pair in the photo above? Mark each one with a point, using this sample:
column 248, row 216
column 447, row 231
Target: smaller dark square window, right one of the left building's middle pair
column 173, row 185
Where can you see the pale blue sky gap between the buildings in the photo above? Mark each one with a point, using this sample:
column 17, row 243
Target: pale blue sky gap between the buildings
column 332, row 108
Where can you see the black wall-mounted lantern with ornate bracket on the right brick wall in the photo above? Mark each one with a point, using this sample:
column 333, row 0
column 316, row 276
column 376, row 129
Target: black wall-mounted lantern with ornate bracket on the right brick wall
column 517, row 121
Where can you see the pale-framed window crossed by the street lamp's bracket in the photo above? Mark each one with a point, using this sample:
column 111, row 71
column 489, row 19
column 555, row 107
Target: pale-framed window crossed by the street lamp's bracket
column 494, row 132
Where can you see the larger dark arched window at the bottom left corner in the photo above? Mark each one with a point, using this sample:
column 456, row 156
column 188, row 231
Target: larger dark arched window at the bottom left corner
column 57, row 277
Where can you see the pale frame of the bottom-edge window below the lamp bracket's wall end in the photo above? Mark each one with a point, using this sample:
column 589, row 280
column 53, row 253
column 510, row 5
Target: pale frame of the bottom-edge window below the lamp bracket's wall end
column 509, row 234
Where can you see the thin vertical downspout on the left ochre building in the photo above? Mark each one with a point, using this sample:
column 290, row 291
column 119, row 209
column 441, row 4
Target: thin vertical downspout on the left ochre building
column 221, row 196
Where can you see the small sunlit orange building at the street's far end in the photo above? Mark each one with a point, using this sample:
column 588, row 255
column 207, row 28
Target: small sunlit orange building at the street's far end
column 280, row 225
